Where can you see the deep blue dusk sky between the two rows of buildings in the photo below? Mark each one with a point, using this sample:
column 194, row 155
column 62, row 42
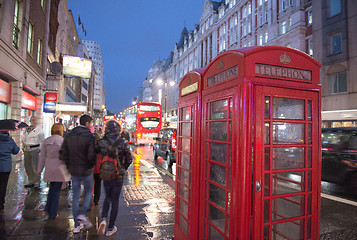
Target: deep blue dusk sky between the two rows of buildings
column 132, row 35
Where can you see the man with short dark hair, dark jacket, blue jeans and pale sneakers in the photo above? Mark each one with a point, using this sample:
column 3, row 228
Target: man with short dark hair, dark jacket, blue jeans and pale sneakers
column 78, row 152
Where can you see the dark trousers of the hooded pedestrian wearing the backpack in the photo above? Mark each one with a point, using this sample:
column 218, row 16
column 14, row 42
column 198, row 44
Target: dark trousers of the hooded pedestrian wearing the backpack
column 112, row 193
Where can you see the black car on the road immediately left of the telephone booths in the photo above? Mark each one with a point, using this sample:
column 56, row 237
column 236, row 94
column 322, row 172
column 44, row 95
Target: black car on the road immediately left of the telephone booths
column 165, row 145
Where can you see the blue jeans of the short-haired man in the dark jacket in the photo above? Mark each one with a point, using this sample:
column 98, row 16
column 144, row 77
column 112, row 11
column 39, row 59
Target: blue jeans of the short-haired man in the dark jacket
column 87, row 182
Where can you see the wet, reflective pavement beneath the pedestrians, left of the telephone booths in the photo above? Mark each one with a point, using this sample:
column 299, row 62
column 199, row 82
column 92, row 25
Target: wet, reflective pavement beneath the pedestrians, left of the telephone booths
column 146, row 208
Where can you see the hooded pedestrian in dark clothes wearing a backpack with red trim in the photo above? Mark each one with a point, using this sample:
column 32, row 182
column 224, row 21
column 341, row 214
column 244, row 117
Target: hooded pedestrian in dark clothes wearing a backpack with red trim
column 116, row 158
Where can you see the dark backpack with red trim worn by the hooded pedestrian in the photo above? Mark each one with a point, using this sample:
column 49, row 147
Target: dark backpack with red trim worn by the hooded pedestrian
column 111, row 166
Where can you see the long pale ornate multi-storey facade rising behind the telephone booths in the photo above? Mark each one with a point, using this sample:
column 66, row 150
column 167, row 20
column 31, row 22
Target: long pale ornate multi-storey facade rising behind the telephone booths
column 232, row 24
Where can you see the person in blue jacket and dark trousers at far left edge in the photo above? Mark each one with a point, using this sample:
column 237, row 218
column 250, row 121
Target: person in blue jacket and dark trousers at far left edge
column 7, row 147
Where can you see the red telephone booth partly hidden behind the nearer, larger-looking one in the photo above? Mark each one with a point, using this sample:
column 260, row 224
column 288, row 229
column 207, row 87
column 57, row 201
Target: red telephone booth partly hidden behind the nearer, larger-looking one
column 187, row 160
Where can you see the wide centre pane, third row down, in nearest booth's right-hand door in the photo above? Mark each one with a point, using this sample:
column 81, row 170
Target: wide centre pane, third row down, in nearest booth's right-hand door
column 288, row 158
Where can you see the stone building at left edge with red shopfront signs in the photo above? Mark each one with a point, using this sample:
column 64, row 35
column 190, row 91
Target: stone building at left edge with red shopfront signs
column 23, row 34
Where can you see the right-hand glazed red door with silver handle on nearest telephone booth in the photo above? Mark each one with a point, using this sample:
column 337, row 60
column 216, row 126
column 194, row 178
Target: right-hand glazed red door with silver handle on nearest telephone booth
column 286, row 163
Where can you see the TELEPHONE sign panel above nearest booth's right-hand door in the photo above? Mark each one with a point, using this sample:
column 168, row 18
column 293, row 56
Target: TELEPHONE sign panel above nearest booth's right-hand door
column 275, row 71
